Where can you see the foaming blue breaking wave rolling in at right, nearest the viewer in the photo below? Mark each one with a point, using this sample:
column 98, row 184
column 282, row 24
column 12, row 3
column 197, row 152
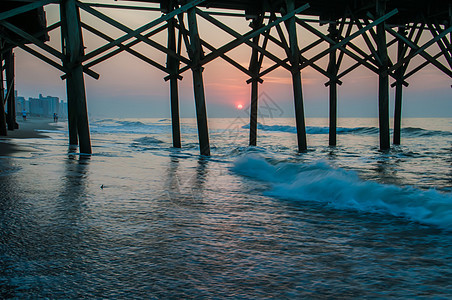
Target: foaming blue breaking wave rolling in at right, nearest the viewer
column 343, row 189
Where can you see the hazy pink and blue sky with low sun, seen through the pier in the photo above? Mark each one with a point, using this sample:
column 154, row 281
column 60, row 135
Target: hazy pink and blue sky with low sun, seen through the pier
column 130, row 88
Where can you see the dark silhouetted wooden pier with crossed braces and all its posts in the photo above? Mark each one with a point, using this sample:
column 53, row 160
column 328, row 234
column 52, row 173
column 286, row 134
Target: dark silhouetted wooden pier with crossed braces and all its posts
column 379, row 24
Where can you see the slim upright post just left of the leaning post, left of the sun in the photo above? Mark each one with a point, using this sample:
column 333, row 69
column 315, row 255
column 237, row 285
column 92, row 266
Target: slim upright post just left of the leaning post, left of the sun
column 173, row 66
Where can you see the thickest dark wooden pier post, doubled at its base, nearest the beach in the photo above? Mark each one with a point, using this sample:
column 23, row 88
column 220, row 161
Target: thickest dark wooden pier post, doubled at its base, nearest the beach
column 73, row 50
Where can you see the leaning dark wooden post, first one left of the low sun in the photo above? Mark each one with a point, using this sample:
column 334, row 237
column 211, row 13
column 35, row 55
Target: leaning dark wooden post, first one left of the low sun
column 198, row 84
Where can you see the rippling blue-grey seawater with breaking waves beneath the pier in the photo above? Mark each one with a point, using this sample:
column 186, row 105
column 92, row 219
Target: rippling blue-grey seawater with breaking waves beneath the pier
column 142, row 220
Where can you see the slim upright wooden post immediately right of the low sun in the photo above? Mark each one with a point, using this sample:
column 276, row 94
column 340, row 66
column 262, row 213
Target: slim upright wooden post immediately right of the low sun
column 254, row 68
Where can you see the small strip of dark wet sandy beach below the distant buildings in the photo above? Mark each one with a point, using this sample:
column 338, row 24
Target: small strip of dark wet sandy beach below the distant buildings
column 27, row 129
